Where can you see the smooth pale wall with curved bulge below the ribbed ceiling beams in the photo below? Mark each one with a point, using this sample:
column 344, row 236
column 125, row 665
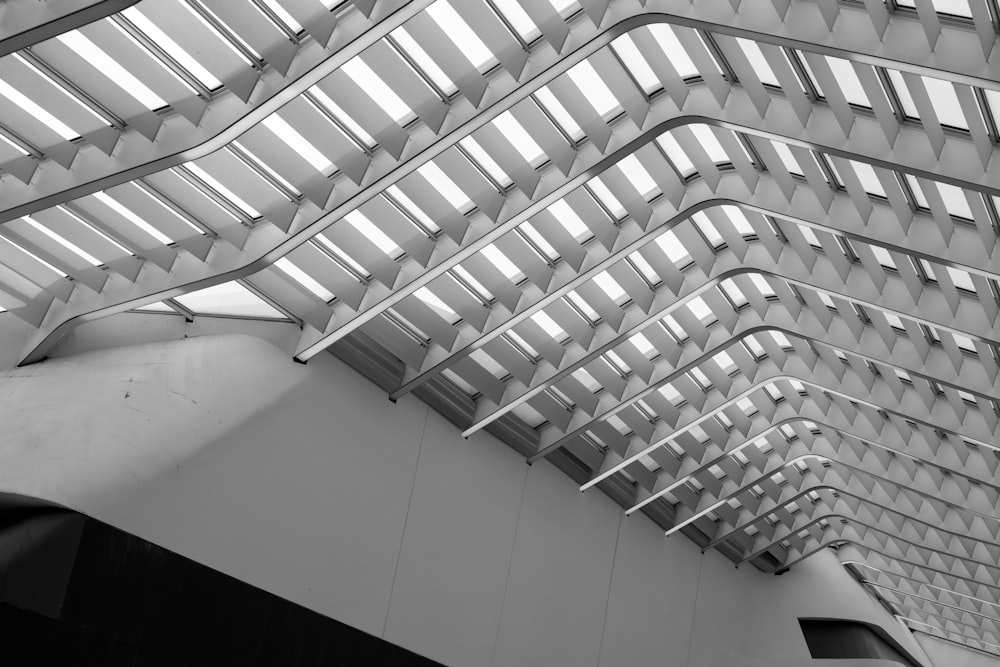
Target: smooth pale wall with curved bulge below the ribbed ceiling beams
column 307, row 482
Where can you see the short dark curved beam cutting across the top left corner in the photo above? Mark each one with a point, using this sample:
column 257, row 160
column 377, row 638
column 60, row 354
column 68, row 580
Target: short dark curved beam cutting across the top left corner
column 26, row 24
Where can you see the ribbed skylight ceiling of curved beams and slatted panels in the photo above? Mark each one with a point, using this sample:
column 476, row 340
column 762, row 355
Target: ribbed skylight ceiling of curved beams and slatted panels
column 733, row 263
